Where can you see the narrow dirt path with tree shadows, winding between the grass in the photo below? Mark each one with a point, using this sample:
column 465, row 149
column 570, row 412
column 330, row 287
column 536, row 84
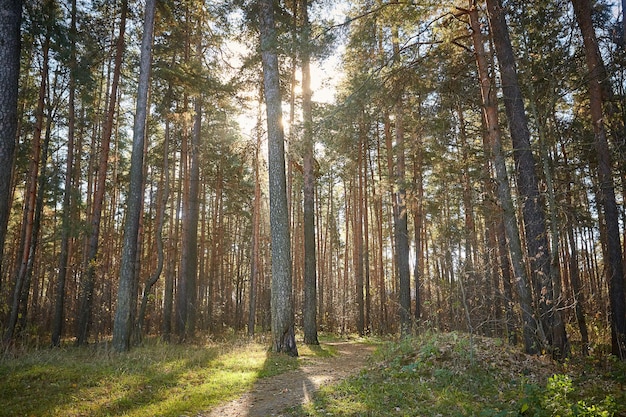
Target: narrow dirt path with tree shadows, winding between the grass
column 272, row 395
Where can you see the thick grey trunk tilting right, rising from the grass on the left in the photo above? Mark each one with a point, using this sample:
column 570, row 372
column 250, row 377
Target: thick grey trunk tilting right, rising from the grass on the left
column 124, row 311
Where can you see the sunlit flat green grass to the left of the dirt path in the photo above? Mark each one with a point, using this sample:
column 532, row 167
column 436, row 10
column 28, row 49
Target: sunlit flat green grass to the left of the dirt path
column 155, row 379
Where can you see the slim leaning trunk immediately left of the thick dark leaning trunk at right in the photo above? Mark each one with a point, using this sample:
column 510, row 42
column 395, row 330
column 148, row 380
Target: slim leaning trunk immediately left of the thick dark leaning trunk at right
column 494, row 148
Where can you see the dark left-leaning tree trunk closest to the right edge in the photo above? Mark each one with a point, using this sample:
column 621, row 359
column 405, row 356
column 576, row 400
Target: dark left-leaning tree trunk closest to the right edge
column 606, row 189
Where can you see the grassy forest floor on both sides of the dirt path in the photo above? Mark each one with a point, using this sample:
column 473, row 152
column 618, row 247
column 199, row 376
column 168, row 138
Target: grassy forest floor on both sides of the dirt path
column 434, row 375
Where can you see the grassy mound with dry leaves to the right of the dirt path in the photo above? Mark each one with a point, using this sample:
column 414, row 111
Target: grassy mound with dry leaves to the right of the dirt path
column 455, row 375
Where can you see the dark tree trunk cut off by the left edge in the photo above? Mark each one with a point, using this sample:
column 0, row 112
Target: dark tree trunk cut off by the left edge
column 10, row 21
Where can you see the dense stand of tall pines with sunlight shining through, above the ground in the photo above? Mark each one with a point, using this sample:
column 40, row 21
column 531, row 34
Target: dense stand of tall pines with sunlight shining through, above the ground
column 312, row 166
